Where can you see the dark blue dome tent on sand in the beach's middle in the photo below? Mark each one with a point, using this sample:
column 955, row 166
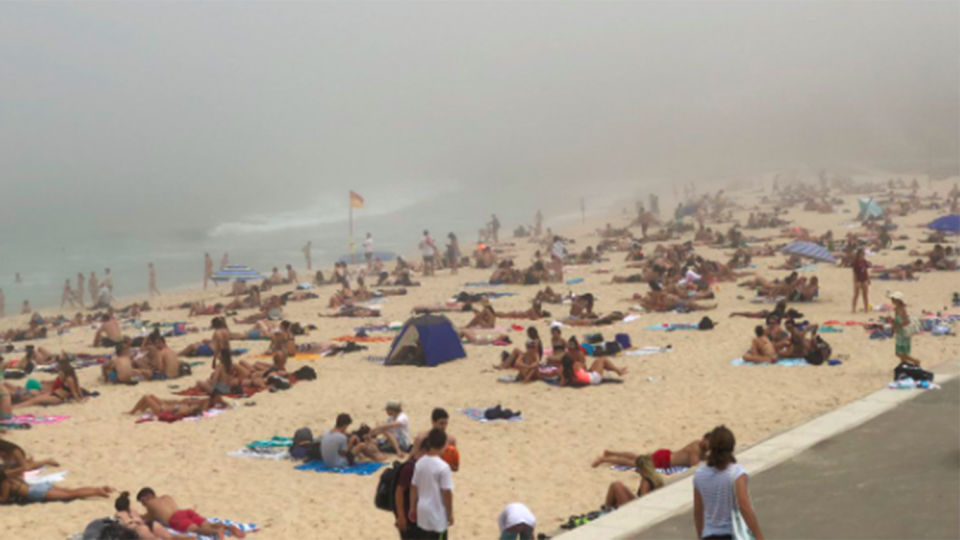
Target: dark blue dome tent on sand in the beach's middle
column 437, row 337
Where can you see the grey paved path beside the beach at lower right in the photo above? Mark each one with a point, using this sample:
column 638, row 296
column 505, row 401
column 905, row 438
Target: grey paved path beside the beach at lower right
column 895, row 477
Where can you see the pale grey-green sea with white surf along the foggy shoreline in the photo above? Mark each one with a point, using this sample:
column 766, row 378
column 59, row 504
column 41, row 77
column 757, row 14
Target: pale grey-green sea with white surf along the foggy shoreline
column 47, row 252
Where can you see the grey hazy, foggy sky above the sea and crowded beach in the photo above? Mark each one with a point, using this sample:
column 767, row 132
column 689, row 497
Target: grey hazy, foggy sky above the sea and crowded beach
column 171, row 113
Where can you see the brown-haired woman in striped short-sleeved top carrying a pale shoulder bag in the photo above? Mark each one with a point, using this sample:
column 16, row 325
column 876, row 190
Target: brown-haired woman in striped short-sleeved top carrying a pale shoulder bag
column 719, row 488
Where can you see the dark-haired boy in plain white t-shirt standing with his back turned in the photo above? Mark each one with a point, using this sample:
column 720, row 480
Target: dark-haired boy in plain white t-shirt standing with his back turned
column 431, row 492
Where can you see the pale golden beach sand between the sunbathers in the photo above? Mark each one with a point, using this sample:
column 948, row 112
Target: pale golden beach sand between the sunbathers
column 665, row 401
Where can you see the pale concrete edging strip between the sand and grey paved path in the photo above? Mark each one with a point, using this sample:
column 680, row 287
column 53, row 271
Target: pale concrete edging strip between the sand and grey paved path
column 677, row 497
